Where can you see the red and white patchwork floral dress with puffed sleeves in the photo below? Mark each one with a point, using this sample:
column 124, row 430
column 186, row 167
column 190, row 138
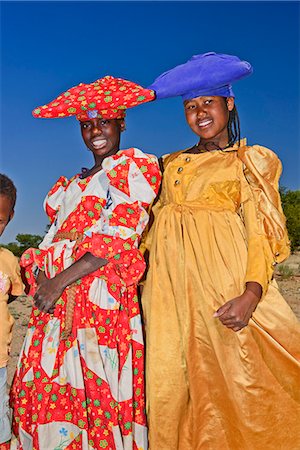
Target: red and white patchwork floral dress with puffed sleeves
column 86, row 391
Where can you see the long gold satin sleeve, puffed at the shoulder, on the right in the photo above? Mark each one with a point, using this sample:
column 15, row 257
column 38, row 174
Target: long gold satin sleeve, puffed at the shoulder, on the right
column 265, row 222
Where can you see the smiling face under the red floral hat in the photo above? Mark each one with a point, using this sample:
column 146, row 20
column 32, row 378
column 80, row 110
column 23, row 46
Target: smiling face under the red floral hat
column 102, row 136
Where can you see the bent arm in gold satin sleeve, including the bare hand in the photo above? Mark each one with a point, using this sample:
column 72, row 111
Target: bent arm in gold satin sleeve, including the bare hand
column 264, row 223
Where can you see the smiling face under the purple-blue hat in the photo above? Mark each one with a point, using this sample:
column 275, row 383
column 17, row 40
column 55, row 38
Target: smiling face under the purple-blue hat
column 208, row 117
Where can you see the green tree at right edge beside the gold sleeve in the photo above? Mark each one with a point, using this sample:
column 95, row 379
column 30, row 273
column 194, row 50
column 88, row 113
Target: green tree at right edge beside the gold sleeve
column 291, row 208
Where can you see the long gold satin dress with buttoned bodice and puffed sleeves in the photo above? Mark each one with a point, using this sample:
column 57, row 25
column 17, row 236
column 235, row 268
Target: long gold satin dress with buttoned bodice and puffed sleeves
column 218, row 224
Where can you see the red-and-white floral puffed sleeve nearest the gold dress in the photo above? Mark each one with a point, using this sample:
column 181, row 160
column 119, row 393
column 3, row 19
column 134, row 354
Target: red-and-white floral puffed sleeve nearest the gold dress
column 133, row 182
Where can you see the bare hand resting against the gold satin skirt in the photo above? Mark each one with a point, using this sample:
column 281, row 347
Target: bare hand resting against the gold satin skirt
column 236, row 313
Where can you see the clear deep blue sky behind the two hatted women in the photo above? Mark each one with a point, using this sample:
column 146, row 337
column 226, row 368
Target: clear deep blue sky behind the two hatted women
column 48, row 47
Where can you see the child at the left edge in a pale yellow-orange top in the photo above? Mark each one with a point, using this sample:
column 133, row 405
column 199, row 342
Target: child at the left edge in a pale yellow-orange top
column 11, row 286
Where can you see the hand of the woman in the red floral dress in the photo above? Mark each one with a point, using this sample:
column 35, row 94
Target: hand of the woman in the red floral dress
column 49, row 290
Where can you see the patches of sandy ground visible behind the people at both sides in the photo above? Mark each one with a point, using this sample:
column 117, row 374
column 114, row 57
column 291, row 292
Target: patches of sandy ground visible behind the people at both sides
column 21, row 308
